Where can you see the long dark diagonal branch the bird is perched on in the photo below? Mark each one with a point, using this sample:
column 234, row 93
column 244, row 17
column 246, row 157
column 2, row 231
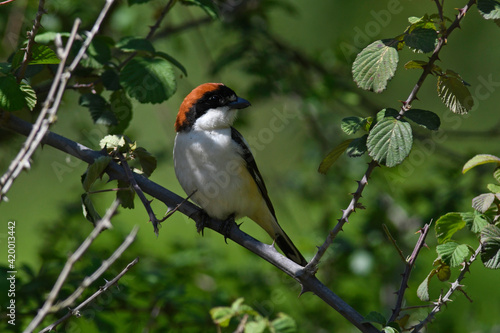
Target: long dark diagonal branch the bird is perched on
column 265, row 251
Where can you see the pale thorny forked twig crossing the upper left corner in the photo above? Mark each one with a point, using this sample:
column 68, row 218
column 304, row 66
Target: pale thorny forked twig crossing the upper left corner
column 51, row 104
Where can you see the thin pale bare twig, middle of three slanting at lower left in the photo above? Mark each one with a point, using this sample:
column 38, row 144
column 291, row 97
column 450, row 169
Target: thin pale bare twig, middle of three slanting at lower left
column 104, row 266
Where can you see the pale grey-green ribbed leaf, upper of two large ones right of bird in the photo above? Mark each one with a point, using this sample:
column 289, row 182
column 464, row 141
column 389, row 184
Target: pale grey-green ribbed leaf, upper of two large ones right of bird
column 375, row 65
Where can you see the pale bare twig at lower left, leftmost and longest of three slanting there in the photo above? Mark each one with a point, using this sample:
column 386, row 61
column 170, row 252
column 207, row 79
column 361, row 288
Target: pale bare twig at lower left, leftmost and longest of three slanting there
column 102, row 224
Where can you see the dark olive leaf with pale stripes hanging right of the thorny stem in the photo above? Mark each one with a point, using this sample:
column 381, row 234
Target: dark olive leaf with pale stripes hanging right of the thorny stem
column 454, row 93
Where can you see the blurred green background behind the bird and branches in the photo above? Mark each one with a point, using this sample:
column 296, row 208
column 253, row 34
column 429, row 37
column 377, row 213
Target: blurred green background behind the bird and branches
column 295, row 65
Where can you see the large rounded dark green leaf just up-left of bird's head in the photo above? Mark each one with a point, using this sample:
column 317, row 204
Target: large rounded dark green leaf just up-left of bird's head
column 148, row 80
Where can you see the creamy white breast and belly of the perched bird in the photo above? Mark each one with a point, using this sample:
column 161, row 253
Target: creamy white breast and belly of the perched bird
column 210, row 163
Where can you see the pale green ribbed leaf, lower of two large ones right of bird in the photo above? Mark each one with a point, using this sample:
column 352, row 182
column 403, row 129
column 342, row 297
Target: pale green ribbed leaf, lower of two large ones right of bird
column 390, row 141
